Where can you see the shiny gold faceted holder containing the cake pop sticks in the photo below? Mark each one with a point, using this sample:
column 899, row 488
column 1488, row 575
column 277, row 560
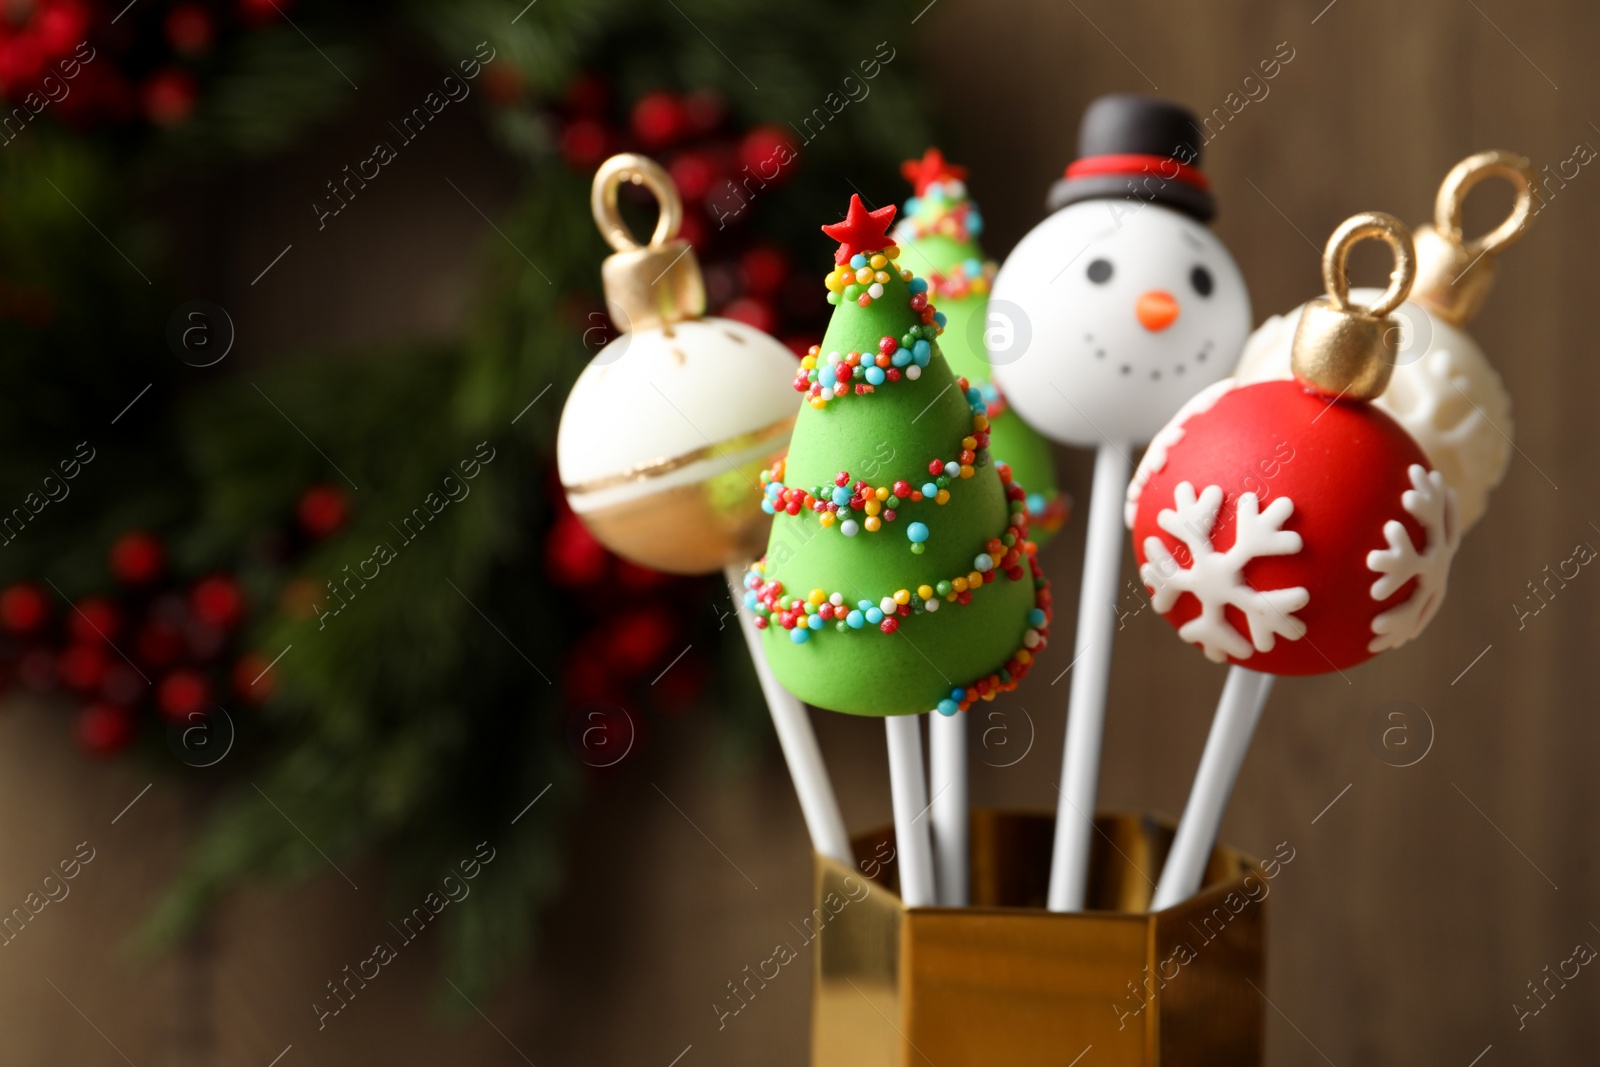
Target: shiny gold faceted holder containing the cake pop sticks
column 1010, row 983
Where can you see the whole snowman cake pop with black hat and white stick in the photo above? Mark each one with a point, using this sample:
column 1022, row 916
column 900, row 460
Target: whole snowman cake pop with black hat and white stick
column 1103, row 322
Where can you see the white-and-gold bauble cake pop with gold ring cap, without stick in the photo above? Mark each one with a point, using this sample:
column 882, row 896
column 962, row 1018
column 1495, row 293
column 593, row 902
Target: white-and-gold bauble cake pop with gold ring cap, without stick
column 668, row 430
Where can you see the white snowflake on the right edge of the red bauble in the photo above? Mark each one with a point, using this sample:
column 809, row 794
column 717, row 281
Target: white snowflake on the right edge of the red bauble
column 1433, row 505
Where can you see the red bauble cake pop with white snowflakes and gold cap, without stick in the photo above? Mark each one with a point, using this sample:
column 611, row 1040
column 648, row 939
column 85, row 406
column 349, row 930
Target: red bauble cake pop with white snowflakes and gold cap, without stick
column 1292, row 527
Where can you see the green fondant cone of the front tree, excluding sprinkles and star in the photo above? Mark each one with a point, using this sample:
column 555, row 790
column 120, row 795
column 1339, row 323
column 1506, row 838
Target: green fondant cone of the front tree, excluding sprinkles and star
column 882, row 438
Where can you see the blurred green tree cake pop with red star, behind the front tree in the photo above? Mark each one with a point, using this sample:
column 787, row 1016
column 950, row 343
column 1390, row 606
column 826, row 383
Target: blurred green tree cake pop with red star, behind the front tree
column 940, row 234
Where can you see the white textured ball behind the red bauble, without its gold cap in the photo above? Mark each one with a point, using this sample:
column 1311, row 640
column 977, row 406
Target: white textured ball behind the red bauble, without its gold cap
column 1444, row 393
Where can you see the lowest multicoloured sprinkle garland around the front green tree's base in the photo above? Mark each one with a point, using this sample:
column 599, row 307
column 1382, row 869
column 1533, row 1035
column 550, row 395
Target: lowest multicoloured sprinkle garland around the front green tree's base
column 1006, row 556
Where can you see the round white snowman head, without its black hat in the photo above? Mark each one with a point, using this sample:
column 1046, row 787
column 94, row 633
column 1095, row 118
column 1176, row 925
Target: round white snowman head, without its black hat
column 1071, row 353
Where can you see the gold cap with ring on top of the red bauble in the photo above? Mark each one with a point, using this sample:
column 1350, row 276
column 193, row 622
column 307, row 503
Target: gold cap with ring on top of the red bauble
column 1342, row 350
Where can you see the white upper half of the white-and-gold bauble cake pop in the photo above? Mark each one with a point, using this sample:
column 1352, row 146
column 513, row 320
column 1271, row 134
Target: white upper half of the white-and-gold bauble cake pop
column 649, row 398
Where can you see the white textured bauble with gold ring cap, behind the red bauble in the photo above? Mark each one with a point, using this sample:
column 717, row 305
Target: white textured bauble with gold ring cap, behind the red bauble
column 1444, row 390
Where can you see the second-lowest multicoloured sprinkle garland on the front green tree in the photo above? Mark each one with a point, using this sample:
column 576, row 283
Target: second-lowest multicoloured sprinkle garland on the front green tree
column 839, row 505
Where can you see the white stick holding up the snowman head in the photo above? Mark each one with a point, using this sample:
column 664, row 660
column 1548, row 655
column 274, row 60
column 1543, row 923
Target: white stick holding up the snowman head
column 1105, row 533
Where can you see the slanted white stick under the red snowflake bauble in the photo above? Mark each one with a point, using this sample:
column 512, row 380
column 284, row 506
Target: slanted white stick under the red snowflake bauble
column 1239, row 711
